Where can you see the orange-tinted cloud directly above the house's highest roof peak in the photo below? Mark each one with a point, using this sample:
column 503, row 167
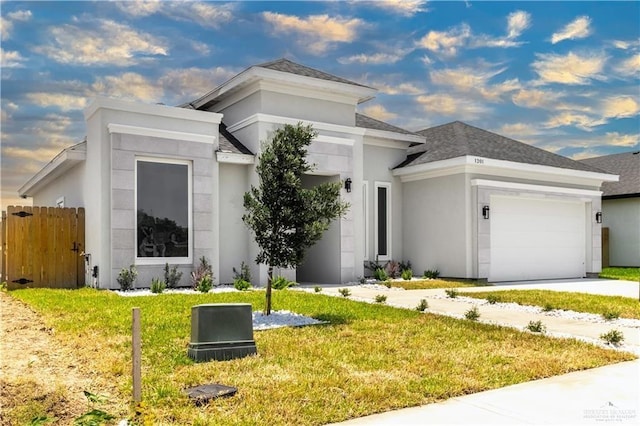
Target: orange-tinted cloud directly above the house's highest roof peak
column 318, row 33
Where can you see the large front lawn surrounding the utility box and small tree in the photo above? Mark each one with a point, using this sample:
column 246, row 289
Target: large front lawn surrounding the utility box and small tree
column 371, row 358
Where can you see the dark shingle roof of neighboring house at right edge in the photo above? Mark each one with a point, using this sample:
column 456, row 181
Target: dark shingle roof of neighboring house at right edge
column 627, row 166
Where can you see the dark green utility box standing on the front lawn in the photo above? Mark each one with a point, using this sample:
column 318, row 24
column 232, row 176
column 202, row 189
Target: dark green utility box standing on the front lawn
column 221, row 331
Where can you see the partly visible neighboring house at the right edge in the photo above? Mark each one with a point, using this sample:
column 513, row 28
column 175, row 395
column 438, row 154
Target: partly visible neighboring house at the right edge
column 621, row 206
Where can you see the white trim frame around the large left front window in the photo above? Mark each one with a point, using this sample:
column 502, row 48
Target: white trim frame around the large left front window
column 163, row 260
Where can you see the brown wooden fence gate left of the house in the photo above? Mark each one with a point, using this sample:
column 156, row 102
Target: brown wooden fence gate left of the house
column 42, row 247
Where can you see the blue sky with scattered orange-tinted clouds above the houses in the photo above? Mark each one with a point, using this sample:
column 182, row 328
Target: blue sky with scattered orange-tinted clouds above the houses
column 562, row 76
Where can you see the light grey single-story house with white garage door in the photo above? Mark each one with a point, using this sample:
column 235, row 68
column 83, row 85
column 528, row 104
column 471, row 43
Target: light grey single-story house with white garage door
column 165, row 184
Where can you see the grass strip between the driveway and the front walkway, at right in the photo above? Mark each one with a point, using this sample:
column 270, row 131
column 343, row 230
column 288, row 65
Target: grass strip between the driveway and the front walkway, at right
column 627, row 307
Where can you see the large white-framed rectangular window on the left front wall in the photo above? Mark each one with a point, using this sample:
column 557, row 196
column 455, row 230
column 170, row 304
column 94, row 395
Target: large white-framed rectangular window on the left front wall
column 163, row 211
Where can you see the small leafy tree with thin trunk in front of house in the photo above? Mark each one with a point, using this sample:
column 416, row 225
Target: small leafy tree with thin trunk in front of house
column 286, row 218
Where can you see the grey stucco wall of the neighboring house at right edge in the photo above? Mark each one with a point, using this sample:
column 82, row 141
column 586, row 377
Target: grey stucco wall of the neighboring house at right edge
column 622, row 217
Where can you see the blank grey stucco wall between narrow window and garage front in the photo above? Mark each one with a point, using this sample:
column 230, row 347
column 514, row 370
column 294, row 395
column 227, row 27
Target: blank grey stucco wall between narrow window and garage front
column 434, row 225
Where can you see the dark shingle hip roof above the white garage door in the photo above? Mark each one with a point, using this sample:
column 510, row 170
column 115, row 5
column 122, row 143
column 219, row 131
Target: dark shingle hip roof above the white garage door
column 458, row 139
